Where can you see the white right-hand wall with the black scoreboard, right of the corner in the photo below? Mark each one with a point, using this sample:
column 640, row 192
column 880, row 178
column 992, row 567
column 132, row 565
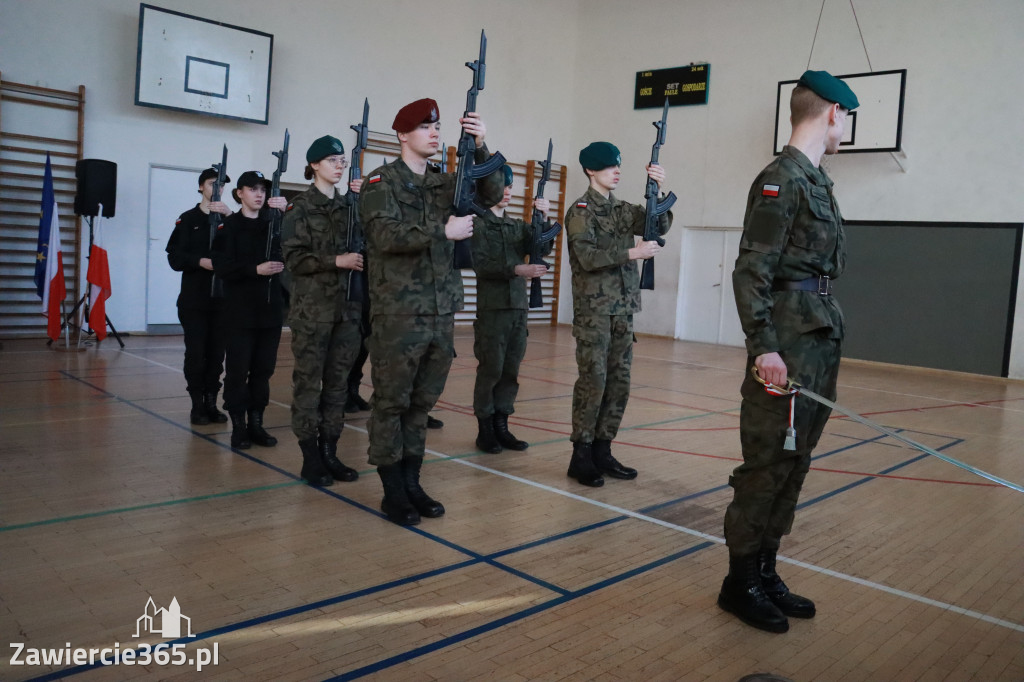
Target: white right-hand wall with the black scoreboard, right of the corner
column 963, row 130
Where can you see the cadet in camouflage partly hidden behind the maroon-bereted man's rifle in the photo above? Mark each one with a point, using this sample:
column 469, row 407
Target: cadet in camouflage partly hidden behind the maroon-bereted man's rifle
column 500, row 245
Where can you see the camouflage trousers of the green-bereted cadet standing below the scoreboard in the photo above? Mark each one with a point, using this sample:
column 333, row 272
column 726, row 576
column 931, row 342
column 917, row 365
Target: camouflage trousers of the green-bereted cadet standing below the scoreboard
column 605, row 354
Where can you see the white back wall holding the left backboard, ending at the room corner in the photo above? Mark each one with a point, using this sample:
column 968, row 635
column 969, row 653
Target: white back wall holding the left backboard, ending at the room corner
column 329, row 55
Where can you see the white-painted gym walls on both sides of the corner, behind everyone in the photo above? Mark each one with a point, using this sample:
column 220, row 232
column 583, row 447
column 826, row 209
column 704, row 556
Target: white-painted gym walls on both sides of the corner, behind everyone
column 566, row 69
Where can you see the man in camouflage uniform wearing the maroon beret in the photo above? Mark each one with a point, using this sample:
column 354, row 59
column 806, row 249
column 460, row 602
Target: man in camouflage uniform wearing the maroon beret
column 414, row 294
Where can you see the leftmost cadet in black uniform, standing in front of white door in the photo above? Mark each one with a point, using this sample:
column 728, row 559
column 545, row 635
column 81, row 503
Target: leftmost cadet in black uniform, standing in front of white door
column 199, row 313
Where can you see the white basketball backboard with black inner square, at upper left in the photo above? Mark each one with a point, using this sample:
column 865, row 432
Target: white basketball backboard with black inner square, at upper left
column 189, row 64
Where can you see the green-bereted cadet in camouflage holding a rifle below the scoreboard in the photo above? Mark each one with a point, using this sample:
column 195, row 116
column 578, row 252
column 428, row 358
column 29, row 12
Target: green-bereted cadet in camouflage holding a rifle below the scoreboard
column 602, row 231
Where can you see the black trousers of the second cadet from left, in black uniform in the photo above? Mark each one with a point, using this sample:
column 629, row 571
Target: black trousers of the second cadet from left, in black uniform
column 252, row 357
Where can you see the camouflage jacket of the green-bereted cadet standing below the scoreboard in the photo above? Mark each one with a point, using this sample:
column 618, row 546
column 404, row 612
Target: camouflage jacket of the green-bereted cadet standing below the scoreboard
column 602, row 232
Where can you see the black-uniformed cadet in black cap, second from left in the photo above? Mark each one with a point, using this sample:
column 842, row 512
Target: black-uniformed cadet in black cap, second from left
column 253, row 309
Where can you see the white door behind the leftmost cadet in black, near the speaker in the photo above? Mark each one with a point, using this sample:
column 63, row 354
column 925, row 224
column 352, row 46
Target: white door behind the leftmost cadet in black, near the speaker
column 173, row 192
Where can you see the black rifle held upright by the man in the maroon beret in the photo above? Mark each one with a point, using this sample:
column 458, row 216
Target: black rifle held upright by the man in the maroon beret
column 470, row 172
